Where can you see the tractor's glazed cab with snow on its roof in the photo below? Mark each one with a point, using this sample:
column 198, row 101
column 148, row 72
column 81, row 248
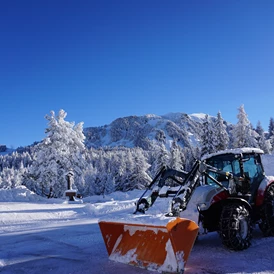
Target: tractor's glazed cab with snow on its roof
column 245, row 164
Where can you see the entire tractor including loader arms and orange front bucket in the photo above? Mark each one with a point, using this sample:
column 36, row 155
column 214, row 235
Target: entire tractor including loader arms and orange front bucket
column 228, row 190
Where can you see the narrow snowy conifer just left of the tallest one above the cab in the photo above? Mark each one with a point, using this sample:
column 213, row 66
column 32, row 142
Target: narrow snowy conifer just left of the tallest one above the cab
column 221, row 135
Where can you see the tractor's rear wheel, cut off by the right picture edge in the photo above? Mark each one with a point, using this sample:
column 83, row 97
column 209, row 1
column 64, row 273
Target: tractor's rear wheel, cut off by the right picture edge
column 267, row 213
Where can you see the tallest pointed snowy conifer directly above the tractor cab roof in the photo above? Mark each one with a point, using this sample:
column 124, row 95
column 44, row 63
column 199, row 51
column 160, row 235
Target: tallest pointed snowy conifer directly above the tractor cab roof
column 243, row 135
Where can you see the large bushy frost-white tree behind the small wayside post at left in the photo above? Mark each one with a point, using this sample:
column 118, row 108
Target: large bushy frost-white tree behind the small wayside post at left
column 63, row 149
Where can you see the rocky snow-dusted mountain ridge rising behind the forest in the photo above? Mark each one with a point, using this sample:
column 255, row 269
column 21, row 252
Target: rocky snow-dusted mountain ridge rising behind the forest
column 143, row 130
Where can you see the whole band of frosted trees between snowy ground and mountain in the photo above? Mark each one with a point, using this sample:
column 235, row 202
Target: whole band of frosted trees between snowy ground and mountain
column 43, row 167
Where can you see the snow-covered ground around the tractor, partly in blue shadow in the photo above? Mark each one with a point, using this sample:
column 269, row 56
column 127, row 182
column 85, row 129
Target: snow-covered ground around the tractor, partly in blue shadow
column 54, row 236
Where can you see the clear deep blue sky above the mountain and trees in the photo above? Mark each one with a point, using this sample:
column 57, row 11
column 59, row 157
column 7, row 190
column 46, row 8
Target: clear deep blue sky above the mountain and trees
column 101, row 60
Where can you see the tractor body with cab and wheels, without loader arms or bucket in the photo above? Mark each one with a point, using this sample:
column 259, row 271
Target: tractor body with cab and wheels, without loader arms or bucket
column 245, row 199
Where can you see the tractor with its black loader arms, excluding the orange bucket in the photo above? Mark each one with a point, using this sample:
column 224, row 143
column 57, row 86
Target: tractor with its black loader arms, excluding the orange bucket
column 231, row 191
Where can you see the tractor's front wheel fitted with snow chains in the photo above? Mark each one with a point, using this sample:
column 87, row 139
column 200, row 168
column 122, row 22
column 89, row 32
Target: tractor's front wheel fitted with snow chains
column 236, row 226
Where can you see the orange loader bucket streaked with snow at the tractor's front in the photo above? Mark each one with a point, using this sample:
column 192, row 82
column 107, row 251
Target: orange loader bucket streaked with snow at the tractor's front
column 155, row 247
